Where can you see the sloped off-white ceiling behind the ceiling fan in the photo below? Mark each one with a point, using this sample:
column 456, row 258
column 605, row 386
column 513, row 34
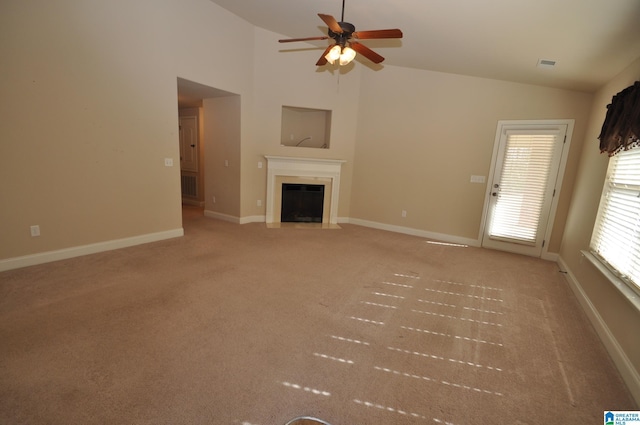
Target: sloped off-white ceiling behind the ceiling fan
column 590, row 40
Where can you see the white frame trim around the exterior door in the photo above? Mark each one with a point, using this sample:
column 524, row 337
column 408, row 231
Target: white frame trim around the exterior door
column 545, row 254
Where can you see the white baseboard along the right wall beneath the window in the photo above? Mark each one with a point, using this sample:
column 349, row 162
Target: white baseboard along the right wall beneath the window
column 629, row 373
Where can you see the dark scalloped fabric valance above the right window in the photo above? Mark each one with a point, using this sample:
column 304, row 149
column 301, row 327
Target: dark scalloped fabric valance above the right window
column 621, row 127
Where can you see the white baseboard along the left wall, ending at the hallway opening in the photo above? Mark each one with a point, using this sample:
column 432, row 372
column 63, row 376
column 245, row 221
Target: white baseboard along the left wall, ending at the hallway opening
column 77, row 251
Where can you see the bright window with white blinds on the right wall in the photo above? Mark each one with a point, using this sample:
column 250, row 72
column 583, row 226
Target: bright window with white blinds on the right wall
column 616, row 236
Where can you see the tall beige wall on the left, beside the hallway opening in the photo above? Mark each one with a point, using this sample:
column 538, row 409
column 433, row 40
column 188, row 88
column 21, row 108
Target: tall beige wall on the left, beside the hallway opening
column 89, row 113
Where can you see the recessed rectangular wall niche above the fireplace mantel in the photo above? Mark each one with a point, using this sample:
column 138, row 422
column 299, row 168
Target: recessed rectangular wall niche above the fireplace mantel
column 305, row 127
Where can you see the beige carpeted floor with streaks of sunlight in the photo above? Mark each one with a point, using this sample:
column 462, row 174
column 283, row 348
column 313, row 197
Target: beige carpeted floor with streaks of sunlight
column 240, row 324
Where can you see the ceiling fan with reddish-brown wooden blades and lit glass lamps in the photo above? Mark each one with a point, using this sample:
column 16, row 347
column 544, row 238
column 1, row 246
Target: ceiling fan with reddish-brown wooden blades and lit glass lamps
column 346, row 45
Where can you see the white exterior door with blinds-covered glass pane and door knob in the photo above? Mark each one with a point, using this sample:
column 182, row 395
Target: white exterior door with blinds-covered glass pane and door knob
column 525, row 181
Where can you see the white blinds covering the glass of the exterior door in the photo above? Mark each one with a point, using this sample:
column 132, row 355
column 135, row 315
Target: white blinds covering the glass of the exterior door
column 523, row 185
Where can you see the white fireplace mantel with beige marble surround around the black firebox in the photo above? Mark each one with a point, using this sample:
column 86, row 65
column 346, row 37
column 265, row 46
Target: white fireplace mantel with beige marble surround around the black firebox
column 286, row 169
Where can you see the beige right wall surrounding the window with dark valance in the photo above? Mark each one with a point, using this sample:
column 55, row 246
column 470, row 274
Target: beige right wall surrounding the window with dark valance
column 615, row 318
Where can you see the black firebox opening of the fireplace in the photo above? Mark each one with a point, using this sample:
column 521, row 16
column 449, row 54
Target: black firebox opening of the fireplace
column 302, row 203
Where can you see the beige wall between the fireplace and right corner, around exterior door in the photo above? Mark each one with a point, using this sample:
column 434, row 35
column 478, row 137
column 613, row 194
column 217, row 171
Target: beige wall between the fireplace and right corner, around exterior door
column 422, row 134
